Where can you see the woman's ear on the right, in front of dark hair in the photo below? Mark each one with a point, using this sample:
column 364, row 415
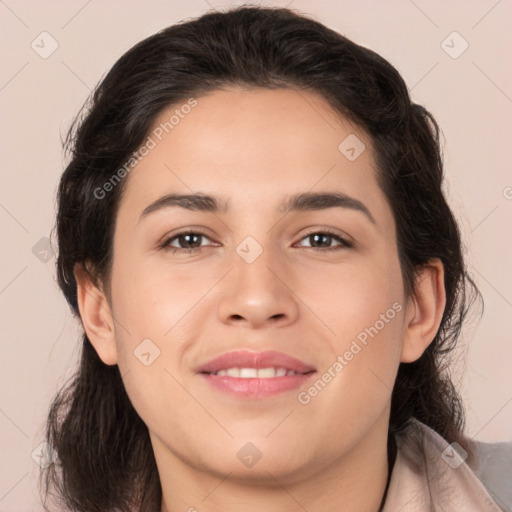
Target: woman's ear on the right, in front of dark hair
column 424, row 311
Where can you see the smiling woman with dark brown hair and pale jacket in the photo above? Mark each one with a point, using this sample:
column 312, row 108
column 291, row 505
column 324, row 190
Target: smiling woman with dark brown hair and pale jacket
column 253, row 232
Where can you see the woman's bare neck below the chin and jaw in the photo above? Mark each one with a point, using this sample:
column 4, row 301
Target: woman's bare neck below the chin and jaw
column 354, row 482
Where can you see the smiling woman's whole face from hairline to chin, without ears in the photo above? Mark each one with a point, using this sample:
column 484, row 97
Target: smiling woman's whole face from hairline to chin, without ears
column 314, row 288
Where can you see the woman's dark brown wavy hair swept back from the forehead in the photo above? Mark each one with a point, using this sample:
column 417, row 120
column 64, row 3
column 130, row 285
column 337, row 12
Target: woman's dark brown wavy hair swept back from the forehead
column 105, row 459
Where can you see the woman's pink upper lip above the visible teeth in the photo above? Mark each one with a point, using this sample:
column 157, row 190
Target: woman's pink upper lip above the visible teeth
column 249, row 359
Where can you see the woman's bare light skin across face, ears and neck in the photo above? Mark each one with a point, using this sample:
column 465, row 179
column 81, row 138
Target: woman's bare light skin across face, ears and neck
column 298, row 298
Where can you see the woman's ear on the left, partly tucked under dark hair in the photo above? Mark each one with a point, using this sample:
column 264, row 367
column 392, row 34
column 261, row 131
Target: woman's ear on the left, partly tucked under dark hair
column 96, row 315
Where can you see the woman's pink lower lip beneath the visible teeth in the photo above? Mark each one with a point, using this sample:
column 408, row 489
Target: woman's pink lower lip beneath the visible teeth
column 256, row 388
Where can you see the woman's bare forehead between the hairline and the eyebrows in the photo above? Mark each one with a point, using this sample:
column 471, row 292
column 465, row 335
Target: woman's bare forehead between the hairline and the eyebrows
column 253, row 146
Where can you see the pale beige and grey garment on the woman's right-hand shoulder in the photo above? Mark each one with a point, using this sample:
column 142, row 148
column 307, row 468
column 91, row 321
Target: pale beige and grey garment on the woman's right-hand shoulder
column 430, row 475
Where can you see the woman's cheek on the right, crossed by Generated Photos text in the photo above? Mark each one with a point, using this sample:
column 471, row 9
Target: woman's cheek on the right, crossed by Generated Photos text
column 364, row 307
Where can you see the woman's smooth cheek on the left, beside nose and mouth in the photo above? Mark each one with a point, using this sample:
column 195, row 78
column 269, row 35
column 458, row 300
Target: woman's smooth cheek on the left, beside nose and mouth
column 153, row 307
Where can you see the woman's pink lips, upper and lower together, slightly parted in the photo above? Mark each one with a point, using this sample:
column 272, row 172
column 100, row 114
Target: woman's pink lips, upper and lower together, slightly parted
column 256, row 388
